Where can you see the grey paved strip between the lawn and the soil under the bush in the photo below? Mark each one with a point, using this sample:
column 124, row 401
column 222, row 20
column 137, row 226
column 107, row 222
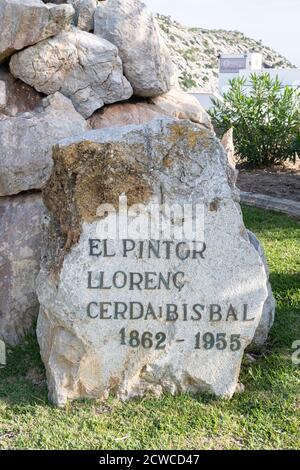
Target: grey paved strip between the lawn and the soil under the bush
column 271, row 203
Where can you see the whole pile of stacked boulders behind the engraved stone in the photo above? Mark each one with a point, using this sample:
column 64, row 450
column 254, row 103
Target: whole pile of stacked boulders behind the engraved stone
column 65, row 68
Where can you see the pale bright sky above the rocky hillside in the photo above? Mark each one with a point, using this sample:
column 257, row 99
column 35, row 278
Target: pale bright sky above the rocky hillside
column 276, row 22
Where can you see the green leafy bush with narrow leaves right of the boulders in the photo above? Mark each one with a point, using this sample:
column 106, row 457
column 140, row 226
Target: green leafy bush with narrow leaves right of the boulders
column 265, row 118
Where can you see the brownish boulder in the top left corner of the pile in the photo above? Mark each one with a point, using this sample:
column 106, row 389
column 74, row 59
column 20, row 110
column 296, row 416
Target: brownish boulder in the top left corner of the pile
column 26, row 22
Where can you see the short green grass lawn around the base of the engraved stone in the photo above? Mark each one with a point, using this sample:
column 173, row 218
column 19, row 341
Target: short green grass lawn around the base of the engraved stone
column 265, row 416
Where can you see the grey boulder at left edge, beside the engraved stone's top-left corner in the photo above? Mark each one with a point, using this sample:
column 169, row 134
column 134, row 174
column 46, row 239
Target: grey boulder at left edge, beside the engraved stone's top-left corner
column 26, row 143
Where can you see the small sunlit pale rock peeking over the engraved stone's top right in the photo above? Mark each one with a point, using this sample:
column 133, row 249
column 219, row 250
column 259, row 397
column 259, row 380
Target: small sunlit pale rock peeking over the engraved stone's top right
column 181, row 105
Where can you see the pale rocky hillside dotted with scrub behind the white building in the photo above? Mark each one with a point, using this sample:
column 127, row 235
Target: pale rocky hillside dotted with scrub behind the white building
column 195, row 52
